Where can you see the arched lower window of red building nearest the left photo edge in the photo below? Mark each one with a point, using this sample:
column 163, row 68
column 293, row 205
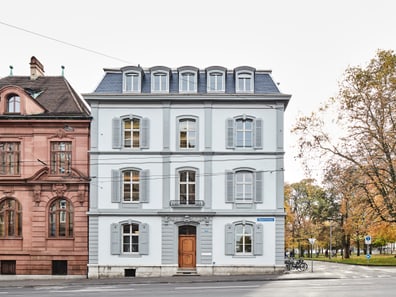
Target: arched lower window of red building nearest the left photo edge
column 10, row 218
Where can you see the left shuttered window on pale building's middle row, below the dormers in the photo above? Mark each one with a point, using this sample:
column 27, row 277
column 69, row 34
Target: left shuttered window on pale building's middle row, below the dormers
column 133, row 184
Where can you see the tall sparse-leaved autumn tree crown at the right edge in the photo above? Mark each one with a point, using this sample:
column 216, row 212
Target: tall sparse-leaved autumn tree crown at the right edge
column 358, row 129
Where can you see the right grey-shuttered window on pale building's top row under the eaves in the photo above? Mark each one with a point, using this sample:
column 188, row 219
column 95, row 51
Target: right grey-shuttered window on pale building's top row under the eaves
column 244, row 132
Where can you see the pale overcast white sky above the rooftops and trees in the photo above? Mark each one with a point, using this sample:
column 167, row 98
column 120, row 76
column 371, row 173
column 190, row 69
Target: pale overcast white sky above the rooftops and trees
column 307, row 44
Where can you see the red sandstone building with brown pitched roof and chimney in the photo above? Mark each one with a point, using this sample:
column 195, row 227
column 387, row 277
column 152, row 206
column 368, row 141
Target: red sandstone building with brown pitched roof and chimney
column 44, row 176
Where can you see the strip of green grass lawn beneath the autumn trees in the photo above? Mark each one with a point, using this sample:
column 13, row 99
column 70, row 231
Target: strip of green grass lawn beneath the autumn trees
column 375, row 260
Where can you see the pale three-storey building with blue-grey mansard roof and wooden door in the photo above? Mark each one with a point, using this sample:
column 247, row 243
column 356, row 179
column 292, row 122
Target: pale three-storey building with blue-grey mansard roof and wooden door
column 187, row 172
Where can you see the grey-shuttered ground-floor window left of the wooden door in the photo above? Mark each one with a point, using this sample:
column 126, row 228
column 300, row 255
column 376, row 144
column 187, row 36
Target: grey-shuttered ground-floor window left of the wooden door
column 129, row 238
